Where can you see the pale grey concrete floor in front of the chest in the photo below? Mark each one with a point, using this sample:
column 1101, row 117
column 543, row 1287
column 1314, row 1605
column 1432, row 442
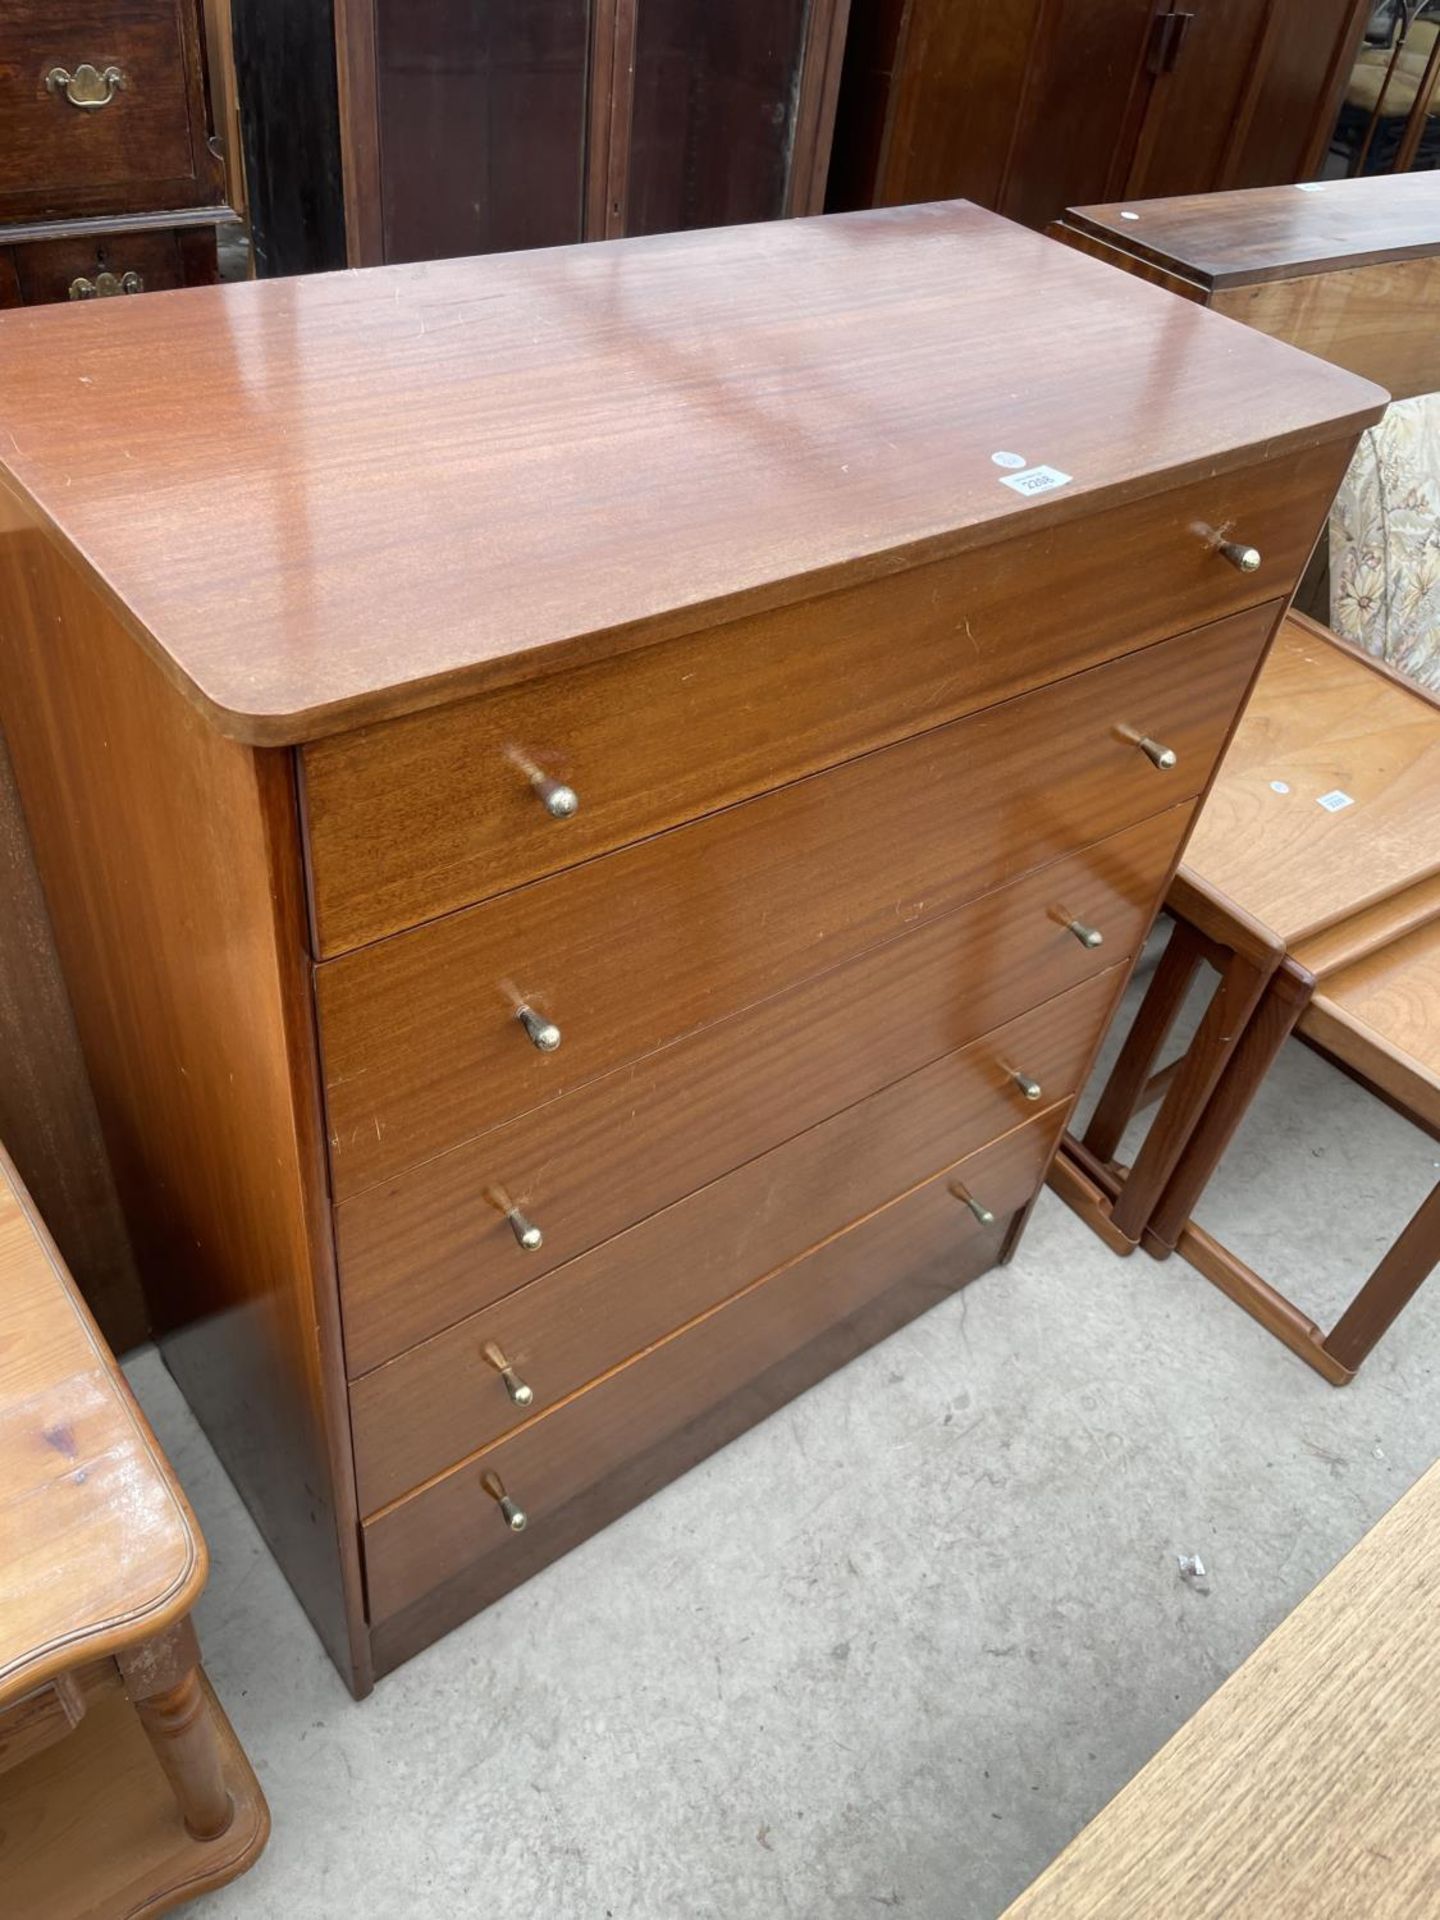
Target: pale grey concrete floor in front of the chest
column 894, row 1648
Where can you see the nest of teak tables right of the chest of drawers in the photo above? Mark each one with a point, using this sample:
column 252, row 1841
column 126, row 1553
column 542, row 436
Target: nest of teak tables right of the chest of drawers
column 1312, row 888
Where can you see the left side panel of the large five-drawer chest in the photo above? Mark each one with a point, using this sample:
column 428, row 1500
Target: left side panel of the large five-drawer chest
column 170, row 857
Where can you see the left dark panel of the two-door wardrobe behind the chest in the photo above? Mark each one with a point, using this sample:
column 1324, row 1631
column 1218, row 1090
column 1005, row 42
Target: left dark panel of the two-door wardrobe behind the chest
column 483, row 120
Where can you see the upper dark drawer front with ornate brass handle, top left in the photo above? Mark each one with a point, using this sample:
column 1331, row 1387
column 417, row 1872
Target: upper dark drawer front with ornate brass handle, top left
column 60, row 158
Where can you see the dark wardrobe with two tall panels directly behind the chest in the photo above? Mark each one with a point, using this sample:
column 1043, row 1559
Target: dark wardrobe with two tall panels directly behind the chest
column 514, row 124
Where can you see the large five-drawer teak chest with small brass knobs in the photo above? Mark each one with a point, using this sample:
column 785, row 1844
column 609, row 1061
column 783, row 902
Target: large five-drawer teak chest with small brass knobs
column 596, row 809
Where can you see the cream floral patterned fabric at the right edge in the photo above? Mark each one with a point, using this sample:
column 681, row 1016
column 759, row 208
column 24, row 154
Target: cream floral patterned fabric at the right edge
column 1385, row 542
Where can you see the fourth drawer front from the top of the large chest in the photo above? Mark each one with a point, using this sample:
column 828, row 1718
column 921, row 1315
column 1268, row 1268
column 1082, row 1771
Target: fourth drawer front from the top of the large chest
column 443, row 1401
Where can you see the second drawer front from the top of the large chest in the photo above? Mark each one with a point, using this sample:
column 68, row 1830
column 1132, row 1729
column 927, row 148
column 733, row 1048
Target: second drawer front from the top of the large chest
column 633, row 951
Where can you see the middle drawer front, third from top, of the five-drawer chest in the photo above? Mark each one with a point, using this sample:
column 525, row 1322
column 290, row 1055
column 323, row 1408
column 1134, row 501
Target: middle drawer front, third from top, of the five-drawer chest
column 425, row 1249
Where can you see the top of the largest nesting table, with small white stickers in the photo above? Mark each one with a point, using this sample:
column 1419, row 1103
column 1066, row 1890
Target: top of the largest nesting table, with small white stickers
column 1322, row 721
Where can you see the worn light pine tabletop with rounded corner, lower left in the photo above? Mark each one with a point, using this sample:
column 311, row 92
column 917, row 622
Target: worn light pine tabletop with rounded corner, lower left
column 97, row 1541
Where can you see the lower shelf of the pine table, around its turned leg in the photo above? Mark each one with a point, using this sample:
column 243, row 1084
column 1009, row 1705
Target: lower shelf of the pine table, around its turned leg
column 91, row 1829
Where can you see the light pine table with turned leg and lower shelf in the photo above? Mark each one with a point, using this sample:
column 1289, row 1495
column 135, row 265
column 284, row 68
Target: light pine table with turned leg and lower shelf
column 122, row 1785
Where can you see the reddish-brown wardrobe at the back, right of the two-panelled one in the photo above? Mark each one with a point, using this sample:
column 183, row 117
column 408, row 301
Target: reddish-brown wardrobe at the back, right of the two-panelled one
column 1030, row 107
